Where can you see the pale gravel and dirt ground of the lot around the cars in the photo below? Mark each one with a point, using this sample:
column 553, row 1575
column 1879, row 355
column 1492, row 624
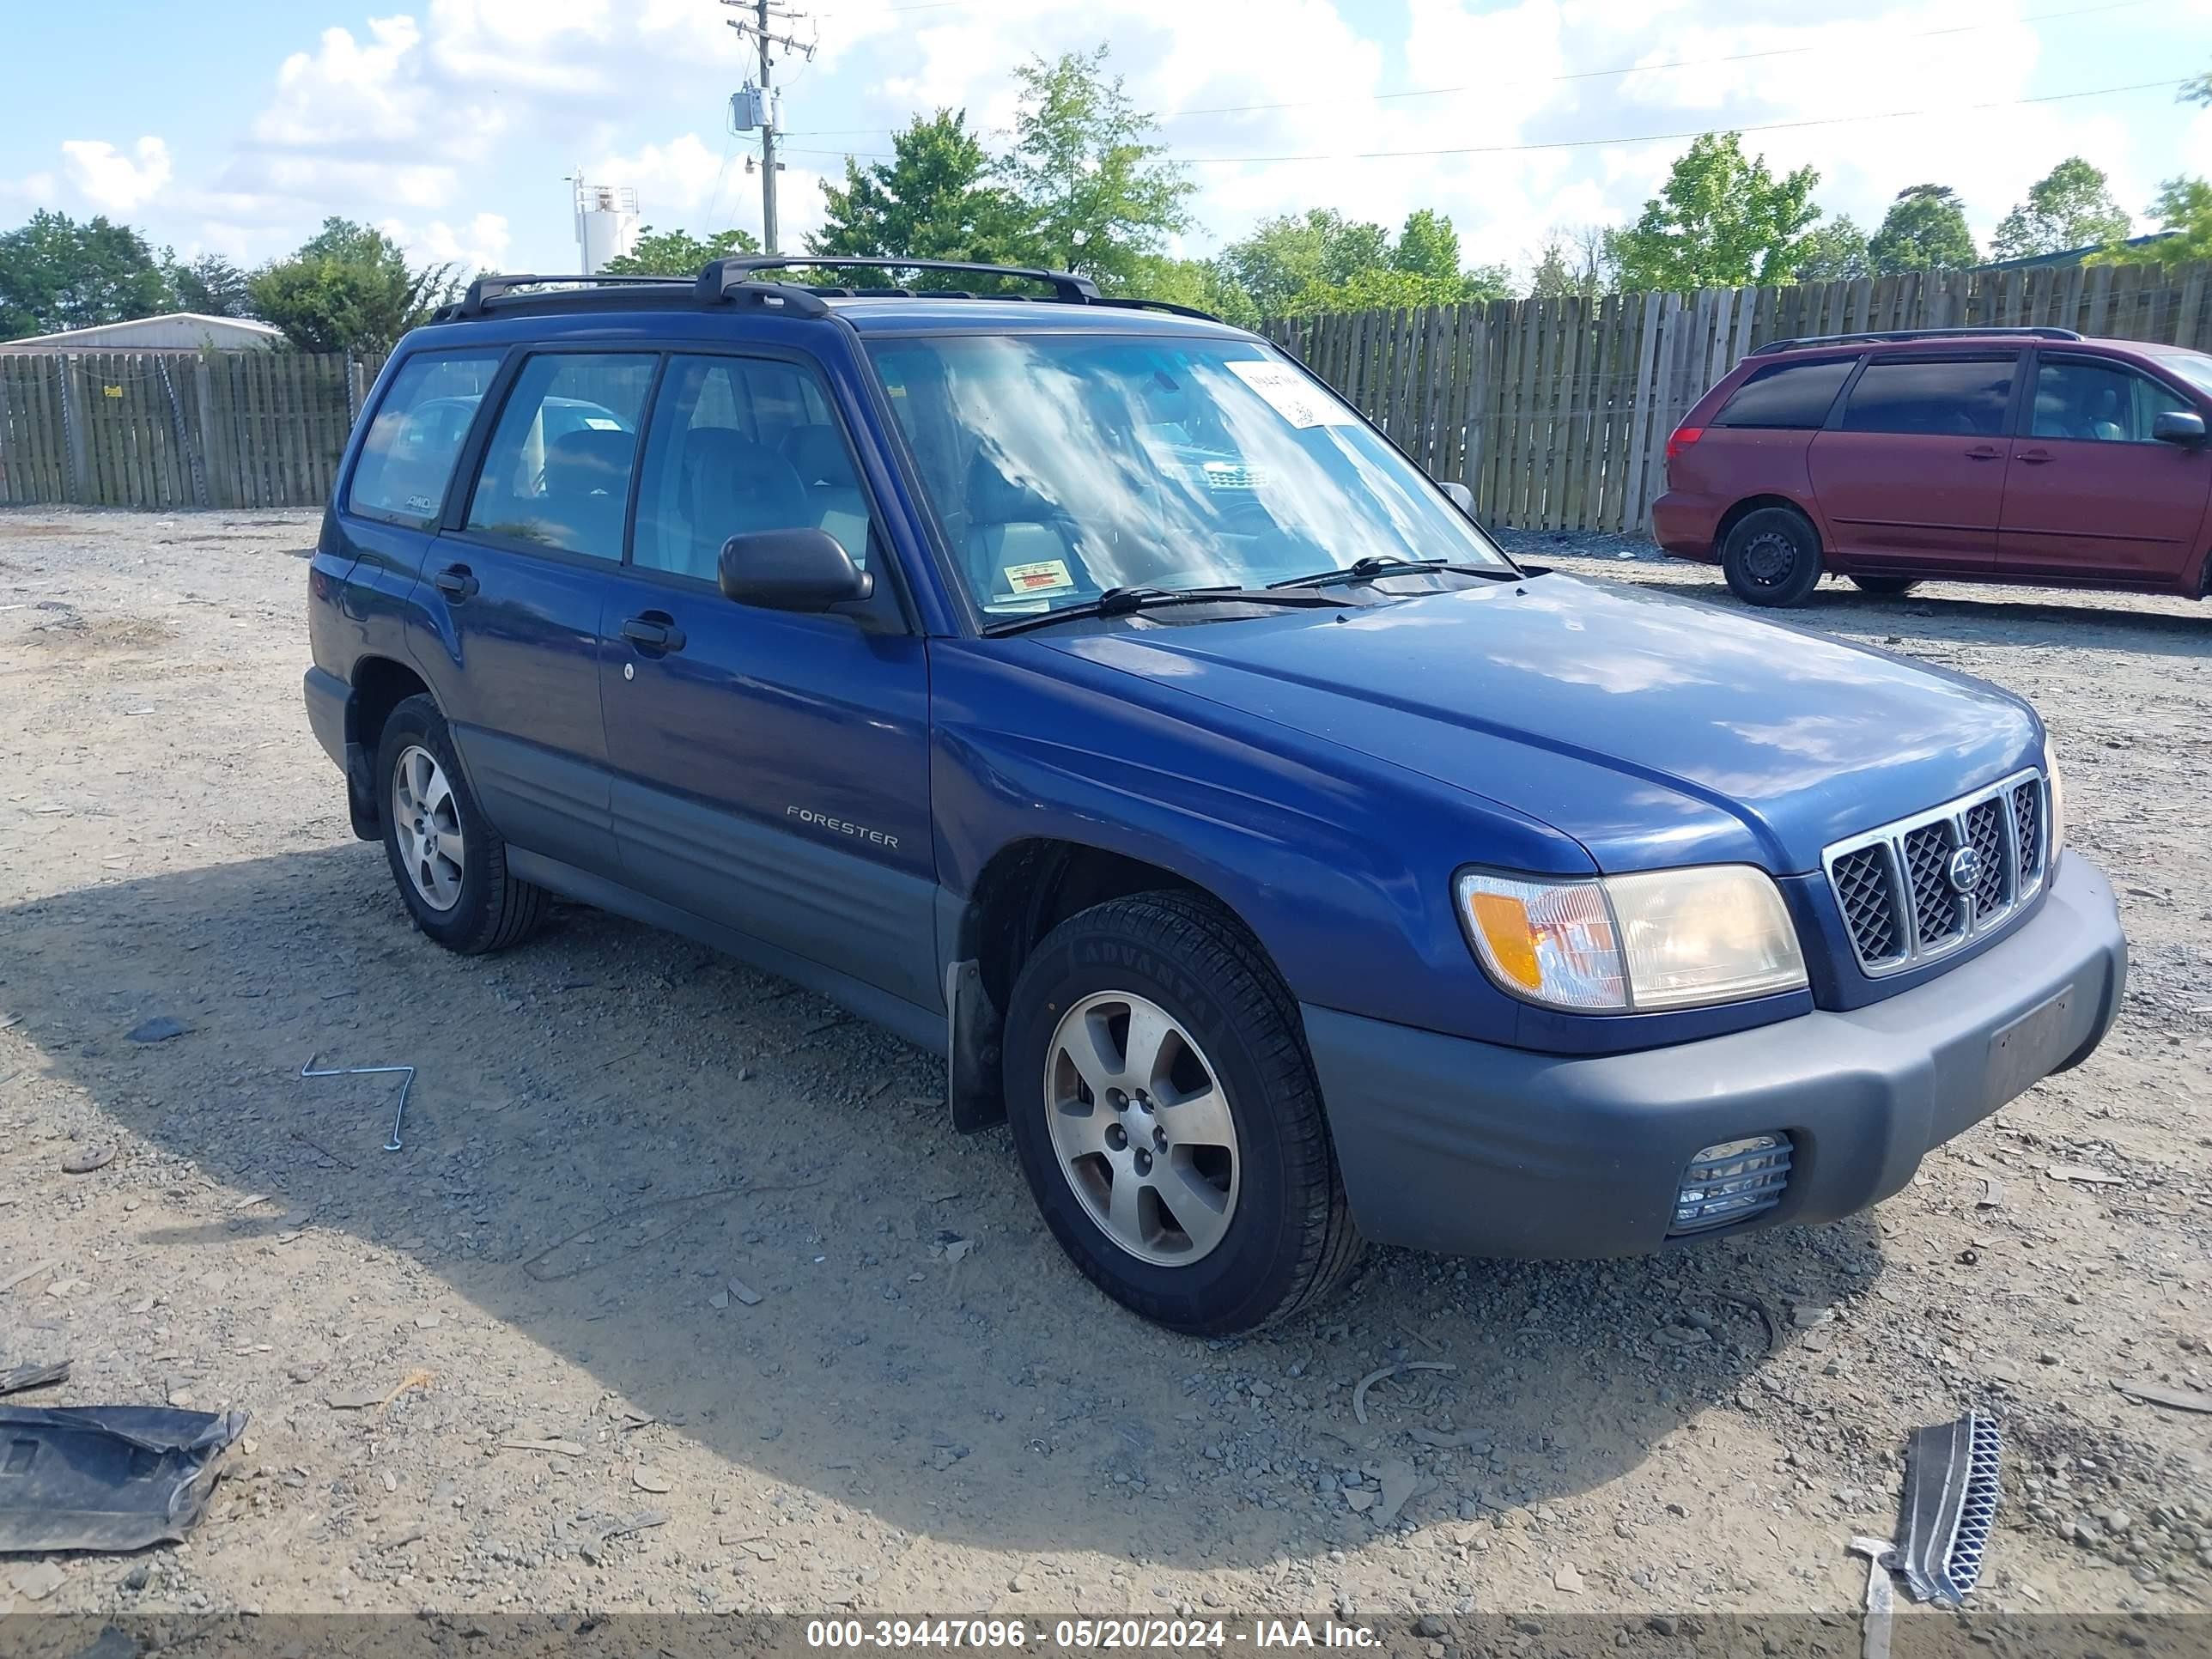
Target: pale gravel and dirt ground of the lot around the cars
column 680, row 1249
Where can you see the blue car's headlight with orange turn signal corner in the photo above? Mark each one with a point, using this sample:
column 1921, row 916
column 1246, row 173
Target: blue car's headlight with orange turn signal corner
column 1669, row 939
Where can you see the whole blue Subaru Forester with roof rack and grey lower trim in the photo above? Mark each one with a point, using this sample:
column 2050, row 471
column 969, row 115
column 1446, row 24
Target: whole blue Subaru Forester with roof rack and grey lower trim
column 1083, row 691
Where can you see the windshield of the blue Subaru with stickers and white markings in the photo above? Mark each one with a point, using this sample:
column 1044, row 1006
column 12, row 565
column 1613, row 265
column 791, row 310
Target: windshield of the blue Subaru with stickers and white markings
column 1063, row 466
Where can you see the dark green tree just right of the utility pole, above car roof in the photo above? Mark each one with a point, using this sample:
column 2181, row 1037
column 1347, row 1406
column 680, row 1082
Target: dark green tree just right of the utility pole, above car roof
column 932, row 200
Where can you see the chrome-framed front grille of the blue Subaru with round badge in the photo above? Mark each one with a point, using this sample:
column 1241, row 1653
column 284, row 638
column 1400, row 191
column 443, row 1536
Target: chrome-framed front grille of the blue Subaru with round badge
column 1908, row 895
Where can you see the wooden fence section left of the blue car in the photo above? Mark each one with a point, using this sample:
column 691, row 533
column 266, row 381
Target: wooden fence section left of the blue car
column 176, row 428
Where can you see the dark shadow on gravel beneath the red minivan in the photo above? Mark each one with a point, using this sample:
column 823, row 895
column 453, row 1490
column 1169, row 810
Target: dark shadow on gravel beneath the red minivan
column 1950, row 616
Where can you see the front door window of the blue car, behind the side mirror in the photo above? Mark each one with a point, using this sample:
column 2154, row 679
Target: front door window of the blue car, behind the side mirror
column 742, row 446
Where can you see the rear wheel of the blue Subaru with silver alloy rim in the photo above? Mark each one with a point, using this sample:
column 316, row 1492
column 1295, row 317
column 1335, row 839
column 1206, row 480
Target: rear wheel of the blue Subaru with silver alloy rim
column 446, row 859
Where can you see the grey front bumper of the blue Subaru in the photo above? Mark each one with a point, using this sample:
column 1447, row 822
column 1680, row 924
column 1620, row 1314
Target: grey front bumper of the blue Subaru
column 1488, row 1151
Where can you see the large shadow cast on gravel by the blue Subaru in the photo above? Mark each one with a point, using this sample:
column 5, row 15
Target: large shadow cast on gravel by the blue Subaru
column 612, row 1125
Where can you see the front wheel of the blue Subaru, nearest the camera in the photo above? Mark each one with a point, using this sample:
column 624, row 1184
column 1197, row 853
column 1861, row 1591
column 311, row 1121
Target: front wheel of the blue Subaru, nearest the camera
column 1169, row 1123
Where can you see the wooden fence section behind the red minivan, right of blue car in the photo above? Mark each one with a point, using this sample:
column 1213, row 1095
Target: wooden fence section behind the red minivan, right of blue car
column 1556, row 413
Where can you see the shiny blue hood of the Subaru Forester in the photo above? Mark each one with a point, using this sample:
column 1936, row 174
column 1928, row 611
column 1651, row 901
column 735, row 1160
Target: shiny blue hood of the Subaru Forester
column 1656, row 731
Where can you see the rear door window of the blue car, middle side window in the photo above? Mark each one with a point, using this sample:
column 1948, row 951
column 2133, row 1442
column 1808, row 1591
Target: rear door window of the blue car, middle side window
column 559, row 466
